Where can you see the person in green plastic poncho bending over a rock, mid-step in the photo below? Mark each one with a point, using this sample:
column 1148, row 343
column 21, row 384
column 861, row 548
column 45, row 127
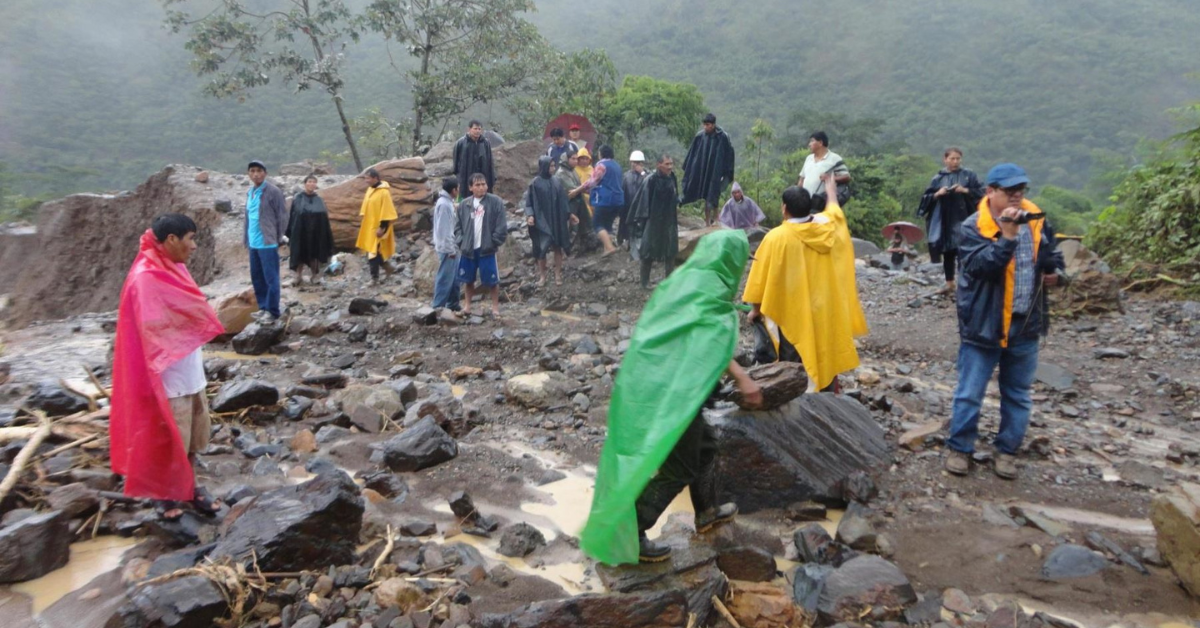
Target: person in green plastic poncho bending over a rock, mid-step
column 658, row 441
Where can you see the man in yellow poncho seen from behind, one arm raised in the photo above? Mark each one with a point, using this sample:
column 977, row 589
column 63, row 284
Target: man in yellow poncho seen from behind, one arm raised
column 803, row 279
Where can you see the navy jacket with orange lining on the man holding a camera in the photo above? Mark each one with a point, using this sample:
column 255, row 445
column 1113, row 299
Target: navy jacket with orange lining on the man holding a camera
column 986, row 280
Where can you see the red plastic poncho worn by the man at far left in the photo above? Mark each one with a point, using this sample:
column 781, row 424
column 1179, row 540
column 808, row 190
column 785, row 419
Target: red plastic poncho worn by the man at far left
column 164, row 316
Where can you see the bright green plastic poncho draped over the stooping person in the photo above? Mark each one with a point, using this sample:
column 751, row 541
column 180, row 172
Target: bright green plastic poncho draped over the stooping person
column 682, row 345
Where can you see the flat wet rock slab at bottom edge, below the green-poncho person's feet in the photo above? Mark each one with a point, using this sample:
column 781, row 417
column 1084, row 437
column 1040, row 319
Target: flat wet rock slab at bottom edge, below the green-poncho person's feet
column 664, row 609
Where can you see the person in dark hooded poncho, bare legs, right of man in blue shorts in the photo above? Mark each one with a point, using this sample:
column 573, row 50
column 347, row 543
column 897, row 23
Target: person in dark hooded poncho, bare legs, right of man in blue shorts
column 550, row 220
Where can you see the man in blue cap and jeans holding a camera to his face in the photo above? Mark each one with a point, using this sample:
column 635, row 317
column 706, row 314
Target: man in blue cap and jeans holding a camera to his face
column 1007, row 256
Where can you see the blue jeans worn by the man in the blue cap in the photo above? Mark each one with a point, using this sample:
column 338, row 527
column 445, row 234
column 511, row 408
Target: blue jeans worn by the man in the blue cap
column 1018, row 364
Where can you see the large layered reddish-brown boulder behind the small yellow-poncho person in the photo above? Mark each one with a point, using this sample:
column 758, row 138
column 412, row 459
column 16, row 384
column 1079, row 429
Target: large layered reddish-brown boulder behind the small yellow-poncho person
column 409, row 189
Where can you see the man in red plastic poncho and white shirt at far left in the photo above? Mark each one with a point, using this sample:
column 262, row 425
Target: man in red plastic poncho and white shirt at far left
column 160, row 417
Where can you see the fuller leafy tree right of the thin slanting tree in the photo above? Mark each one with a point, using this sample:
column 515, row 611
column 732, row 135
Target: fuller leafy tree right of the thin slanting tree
column 469, row 52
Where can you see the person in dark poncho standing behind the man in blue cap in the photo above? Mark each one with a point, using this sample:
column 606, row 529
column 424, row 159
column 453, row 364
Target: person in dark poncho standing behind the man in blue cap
column 952, row 196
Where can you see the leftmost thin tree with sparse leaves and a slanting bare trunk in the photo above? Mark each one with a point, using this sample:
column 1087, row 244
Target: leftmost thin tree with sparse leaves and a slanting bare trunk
column 242, row 49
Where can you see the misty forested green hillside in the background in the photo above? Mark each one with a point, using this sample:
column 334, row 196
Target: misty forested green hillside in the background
column 97, row 94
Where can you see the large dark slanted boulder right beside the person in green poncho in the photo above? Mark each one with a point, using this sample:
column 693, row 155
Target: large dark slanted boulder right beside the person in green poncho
column 801, row 452
